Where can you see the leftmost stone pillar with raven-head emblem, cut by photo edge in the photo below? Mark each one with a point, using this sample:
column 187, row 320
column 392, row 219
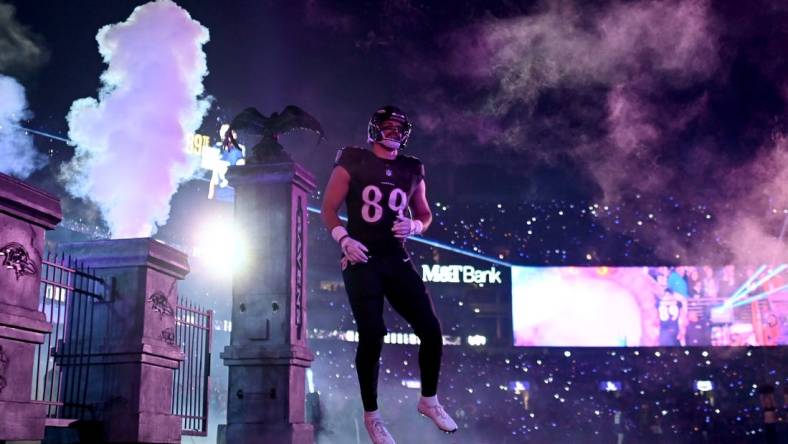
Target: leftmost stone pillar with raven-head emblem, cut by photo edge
column 25, row 214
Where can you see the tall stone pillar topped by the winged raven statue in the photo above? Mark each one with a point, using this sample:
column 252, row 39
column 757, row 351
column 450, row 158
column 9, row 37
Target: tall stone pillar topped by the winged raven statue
column 268, row 353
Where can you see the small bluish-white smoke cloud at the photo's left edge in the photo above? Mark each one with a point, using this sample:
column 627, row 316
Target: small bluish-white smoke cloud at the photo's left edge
column 18, row 156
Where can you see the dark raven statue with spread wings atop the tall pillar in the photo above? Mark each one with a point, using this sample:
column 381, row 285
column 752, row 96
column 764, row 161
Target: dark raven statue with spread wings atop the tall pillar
column 268, row 149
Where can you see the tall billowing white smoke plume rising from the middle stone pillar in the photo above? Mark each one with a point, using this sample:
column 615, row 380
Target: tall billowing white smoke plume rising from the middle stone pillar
column 130, row 154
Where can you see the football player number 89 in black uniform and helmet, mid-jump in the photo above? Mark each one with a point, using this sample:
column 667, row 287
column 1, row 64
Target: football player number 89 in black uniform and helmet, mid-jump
column 385, row 195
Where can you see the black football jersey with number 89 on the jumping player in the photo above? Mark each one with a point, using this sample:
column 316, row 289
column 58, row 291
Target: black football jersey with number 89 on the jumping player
column 380, row 189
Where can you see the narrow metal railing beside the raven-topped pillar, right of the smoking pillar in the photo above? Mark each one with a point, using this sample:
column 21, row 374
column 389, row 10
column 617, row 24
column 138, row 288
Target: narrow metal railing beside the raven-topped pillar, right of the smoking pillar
column 190, row 383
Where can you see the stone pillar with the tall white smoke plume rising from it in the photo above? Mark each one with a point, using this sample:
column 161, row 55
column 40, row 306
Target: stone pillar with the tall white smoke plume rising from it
column 133, row 353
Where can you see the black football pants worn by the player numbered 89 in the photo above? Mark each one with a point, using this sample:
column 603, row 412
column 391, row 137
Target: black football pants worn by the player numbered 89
column 393, row 276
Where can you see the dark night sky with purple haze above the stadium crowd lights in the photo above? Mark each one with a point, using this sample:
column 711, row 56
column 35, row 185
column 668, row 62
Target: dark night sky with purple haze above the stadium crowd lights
column 519, row 101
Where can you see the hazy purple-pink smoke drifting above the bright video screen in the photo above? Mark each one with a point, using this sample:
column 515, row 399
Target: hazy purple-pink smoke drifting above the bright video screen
column 625, row 61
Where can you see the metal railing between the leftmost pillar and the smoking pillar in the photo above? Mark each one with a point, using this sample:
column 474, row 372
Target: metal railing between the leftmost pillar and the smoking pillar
column 67, row 295
